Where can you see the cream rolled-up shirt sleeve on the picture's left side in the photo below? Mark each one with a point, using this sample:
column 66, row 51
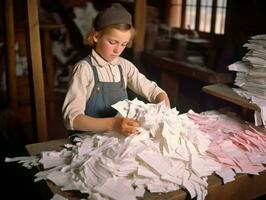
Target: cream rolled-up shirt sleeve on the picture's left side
column 80, row 87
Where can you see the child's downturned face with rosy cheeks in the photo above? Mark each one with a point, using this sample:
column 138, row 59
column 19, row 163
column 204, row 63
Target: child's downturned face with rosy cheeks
column 112, row 43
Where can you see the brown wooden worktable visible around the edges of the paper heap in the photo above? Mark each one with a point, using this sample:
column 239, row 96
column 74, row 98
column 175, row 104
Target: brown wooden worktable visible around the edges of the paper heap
column 245, row 187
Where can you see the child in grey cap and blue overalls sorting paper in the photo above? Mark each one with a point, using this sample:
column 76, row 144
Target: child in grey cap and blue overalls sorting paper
column 100, row 80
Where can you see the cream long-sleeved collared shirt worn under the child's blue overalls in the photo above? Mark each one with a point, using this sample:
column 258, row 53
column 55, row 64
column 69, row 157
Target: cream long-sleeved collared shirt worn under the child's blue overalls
column 82, row 82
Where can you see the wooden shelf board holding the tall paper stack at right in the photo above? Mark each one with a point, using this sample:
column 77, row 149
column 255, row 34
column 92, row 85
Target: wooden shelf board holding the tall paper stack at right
column 223, row 91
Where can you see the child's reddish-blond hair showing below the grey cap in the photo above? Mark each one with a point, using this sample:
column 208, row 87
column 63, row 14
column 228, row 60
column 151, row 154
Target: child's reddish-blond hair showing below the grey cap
column 122, row 27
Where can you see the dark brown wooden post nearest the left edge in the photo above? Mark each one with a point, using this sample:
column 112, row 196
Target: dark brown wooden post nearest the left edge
column 11, row 55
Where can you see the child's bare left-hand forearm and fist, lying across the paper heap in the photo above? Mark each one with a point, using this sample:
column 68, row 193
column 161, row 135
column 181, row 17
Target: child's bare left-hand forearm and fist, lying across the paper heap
column 121, row 125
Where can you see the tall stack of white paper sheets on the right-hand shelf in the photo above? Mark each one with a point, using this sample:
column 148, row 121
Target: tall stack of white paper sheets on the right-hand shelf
column 251, row 75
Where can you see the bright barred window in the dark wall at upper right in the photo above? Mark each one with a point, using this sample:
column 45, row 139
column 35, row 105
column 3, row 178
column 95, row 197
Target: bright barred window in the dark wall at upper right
column 200, row 15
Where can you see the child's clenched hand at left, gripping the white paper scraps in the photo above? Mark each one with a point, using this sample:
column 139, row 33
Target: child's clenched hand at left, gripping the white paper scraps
column 126, row 126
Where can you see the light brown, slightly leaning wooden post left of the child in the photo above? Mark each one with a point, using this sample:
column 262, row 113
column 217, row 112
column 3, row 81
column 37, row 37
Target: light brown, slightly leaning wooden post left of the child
column 34, row 58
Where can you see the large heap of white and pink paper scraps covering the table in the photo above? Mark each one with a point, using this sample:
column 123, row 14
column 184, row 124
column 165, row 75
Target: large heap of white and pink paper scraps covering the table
column 172, row 151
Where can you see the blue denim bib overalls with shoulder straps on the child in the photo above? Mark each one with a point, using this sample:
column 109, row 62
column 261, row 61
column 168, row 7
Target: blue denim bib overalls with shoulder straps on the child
column 103, row 96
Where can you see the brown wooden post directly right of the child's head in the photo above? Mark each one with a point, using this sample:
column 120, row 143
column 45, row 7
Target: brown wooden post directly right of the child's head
column 140, row 24
